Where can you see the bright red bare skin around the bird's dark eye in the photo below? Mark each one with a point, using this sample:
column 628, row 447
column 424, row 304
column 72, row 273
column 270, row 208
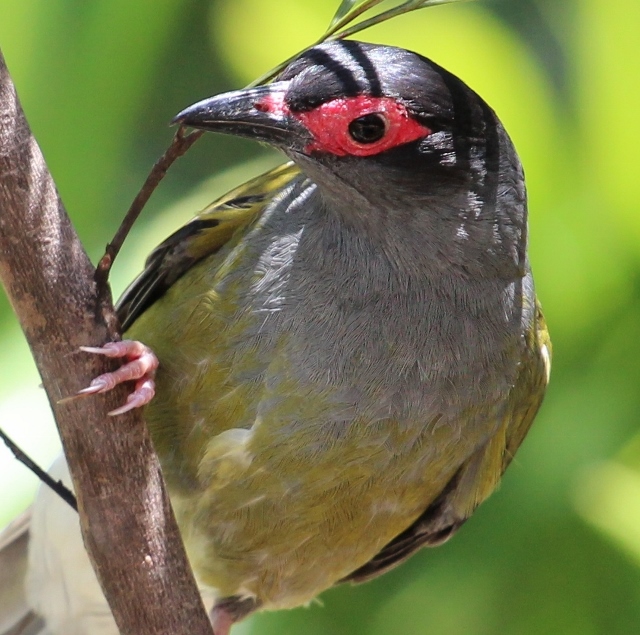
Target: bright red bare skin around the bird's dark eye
column 329, row 124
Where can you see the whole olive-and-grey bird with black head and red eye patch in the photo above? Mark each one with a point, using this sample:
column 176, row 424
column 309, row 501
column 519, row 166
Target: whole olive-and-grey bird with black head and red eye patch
column 350, row 347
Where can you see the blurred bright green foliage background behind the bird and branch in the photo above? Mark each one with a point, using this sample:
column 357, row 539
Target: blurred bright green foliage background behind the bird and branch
column 557, row 549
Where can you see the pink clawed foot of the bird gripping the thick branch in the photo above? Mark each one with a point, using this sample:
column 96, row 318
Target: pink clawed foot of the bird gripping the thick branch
column 140, row 366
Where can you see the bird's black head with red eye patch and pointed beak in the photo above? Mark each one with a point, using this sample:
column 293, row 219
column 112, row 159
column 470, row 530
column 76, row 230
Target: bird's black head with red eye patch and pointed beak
column 382, row 128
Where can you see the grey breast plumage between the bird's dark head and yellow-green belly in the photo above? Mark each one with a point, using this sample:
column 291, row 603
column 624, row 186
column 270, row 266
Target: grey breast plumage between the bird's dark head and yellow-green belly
column 379, row 314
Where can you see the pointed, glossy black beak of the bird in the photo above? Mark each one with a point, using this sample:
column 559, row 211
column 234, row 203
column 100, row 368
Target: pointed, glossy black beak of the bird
column 256, row 113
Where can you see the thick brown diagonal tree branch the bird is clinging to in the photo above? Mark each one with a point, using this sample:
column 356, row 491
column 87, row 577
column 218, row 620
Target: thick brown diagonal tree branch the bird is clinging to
column 126, row 519
